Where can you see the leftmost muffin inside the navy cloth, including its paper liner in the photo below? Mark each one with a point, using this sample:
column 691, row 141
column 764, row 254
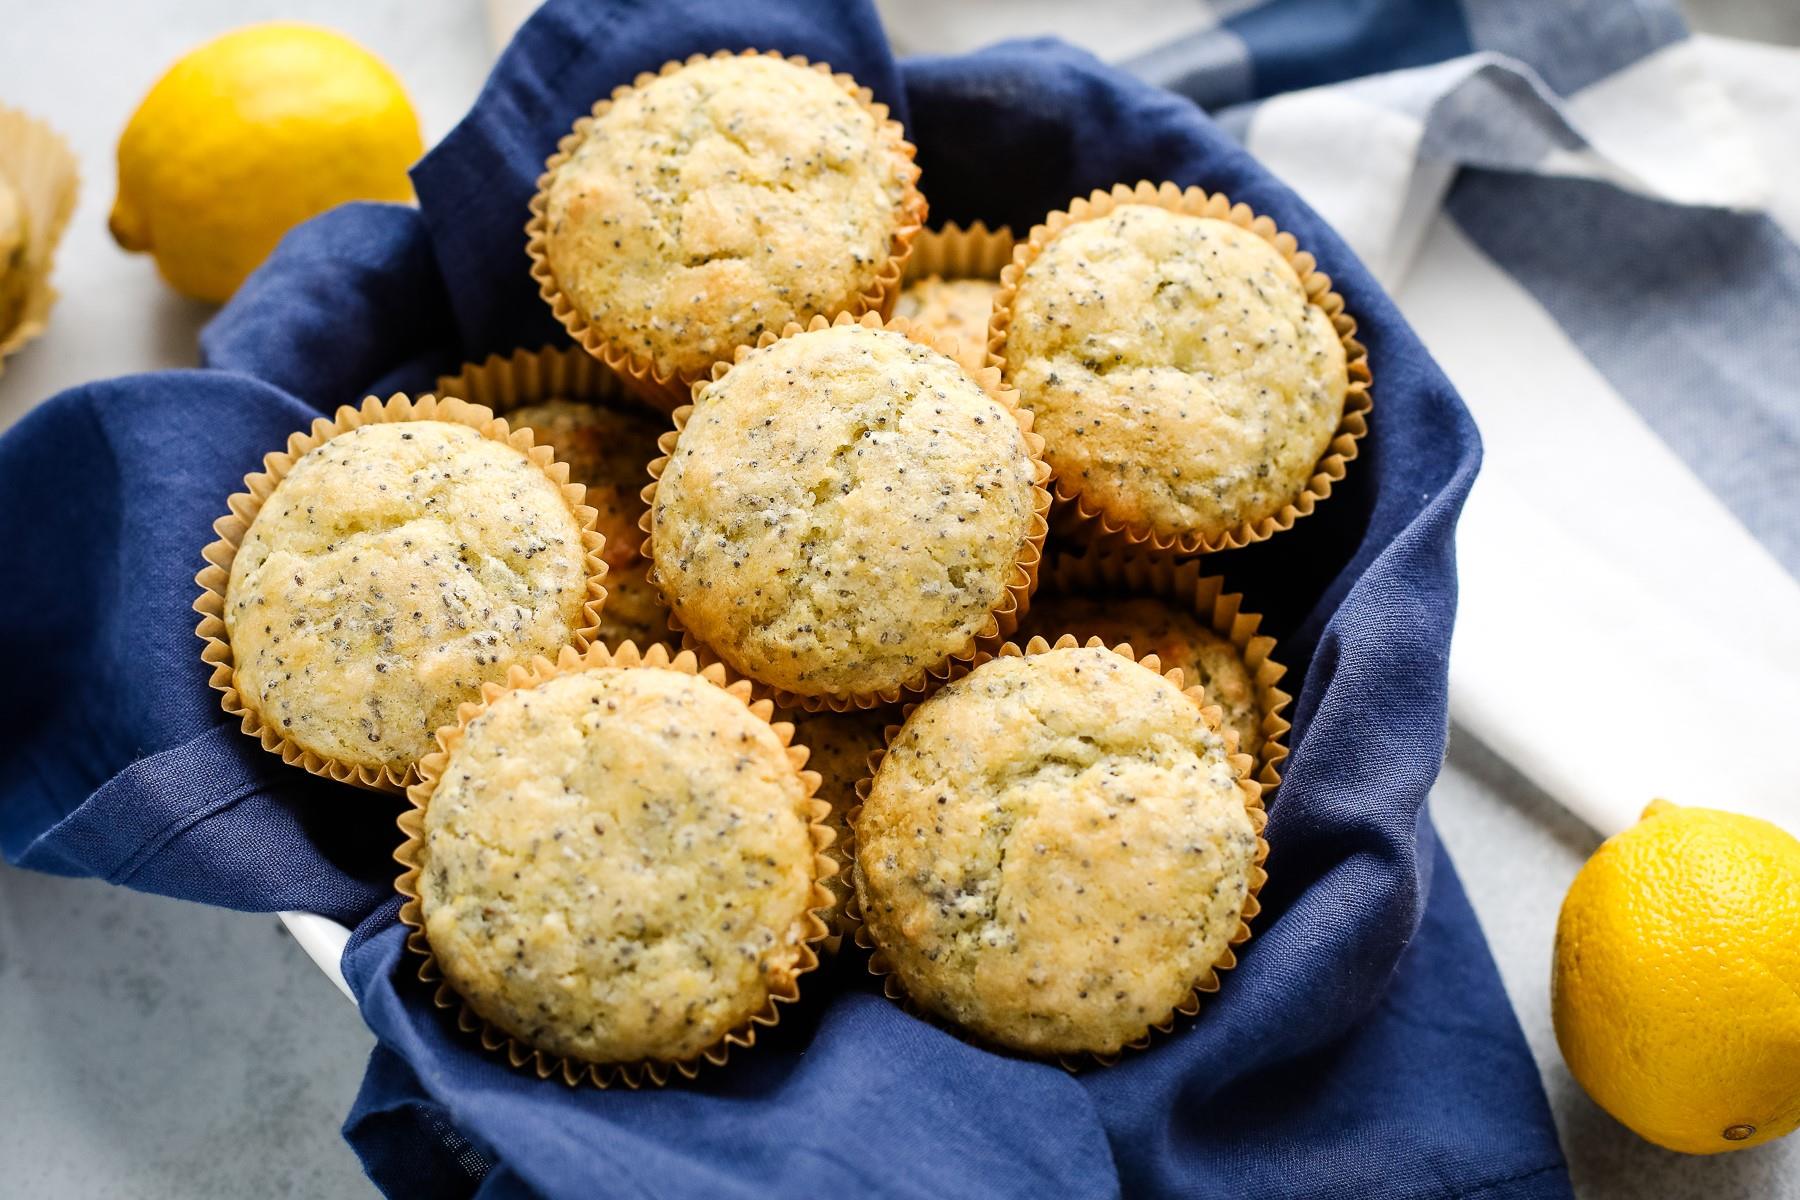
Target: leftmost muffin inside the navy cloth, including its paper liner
column 381, row 569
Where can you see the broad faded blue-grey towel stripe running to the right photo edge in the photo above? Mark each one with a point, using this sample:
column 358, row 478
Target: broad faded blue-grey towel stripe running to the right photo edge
column 1687, row 312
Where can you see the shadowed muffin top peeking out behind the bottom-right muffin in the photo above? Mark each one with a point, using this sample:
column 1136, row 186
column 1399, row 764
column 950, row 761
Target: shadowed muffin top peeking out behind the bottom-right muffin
column 1180, row 640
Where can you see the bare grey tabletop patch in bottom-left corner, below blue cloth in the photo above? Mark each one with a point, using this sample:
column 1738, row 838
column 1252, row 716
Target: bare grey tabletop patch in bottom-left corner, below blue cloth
column 156, row 1048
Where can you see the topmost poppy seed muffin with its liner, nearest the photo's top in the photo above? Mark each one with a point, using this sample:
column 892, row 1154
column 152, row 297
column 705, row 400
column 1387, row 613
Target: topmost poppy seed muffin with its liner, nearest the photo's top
column 715, row 201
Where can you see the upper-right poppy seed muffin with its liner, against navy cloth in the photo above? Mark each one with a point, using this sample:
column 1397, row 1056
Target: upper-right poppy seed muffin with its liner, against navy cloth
column 1196, row 381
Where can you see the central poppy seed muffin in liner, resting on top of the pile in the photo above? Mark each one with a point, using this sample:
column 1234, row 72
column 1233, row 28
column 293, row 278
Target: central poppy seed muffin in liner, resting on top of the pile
column 847, row 514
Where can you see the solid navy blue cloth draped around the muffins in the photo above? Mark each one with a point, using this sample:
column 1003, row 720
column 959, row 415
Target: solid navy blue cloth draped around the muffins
column 1362, row 1048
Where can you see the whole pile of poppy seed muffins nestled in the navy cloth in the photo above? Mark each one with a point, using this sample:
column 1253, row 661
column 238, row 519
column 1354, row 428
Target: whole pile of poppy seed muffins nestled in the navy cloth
column 840, row 589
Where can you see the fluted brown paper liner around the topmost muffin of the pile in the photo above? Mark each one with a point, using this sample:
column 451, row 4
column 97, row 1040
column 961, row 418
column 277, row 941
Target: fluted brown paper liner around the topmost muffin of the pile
column 669, row 391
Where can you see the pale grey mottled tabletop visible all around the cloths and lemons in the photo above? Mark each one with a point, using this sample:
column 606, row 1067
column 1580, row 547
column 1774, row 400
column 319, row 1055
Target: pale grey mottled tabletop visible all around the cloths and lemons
column 154, row 1048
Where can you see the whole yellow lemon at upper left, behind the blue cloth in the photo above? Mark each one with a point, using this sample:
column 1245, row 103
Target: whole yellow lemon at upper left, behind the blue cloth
column 247, row 138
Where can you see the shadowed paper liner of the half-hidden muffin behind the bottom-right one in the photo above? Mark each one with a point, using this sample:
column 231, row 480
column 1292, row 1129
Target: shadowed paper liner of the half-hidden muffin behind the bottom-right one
column 1185, row 587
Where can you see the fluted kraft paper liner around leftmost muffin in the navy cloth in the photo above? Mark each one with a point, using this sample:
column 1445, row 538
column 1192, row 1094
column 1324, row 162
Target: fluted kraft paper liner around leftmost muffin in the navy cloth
column 260, row 485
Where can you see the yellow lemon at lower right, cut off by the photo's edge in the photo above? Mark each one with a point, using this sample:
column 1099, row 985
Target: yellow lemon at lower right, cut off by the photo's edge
column 1677, row 980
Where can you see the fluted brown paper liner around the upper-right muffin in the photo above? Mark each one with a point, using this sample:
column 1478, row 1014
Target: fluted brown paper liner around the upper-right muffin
column 1099, row 526
